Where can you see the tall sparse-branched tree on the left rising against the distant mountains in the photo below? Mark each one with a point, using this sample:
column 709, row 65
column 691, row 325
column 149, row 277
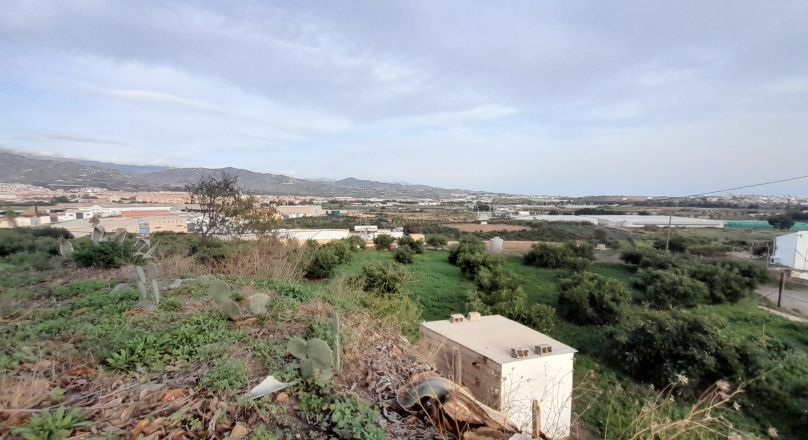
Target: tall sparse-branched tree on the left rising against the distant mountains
column 217, row 199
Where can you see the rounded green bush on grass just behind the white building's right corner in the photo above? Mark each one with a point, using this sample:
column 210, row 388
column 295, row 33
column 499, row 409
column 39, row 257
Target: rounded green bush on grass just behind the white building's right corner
column 592, row 299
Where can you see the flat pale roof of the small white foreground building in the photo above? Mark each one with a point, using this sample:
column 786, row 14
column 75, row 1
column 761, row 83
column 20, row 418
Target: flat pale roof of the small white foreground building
column 494, row 336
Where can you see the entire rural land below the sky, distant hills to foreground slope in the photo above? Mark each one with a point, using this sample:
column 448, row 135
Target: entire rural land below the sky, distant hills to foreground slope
column 200, row 304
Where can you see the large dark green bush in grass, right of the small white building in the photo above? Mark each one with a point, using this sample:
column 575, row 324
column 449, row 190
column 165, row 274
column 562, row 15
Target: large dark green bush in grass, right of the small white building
column 666, row 345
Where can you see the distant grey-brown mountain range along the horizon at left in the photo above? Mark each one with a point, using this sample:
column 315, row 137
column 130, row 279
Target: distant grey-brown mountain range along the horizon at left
column 65, row 173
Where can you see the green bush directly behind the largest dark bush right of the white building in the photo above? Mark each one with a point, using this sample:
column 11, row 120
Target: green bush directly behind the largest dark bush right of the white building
column 665, row 289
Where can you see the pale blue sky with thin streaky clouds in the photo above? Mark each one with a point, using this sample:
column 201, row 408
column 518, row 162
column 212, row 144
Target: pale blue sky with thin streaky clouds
column 530, row 97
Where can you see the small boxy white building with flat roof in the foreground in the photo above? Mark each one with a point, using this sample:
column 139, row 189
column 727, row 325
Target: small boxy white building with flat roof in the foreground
column 507, row 366
